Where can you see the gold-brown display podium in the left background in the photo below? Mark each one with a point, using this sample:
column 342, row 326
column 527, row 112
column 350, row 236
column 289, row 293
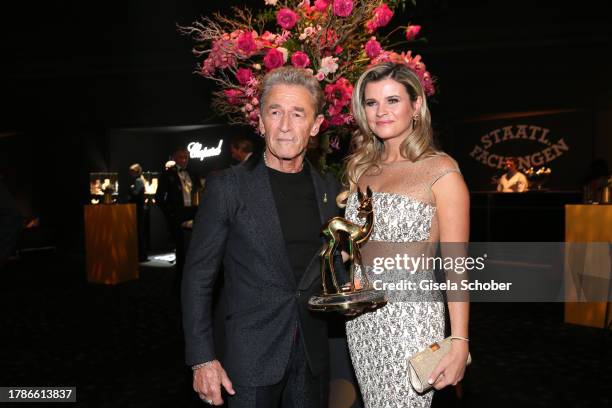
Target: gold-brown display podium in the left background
column 111, row 246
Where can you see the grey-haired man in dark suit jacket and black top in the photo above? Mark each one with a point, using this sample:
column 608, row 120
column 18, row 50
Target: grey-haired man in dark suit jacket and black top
column 263, row 219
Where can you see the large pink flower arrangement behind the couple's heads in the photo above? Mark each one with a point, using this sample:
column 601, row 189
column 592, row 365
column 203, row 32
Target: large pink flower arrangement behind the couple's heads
column 334, row 39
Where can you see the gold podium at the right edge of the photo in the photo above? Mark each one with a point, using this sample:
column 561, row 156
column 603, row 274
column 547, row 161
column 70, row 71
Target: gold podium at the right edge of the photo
column 588, row 223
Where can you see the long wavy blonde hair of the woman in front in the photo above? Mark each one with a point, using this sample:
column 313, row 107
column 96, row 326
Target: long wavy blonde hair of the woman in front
column 366, row 148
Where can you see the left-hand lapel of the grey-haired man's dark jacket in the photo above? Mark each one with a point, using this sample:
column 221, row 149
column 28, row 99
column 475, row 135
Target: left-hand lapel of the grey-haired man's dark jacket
column 261, row 203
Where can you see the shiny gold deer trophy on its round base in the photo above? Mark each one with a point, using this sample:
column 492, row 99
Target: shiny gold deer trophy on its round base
column 347, row 298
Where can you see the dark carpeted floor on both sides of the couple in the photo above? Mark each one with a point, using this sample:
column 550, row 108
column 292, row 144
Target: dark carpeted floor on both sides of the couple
column 122, row 345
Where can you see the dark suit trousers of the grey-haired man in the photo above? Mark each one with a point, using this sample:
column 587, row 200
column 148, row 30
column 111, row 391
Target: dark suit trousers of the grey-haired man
column 298, row 388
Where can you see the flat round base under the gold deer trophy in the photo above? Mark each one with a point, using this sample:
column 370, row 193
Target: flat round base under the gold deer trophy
column 341, row 302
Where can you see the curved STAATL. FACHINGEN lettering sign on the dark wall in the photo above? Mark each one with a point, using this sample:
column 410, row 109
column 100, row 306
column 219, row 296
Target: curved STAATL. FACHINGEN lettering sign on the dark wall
column 507, row 134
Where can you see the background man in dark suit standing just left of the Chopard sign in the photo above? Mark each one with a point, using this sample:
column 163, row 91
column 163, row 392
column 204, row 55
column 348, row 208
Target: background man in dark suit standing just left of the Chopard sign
column 174, row 197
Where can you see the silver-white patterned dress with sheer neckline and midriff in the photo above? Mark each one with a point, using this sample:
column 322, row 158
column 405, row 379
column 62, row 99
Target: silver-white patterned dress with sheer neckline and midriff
column 405, row 222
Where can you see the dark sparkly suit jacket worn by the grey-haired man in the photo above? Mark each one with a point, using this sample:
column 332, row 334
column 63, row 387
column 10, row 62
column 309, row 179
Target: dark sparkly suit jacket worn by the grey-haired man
column 237, row 224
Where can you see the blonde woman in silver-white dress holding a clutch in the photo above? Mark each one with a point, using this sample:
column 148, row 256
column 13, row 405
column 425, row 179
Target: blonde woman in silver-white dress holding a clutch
column 419, row 198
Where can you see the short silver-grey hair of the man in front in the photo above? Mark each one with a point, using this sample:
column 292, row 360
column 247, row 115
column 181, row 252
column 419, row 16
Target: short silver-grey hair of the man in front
column 297, row 77
